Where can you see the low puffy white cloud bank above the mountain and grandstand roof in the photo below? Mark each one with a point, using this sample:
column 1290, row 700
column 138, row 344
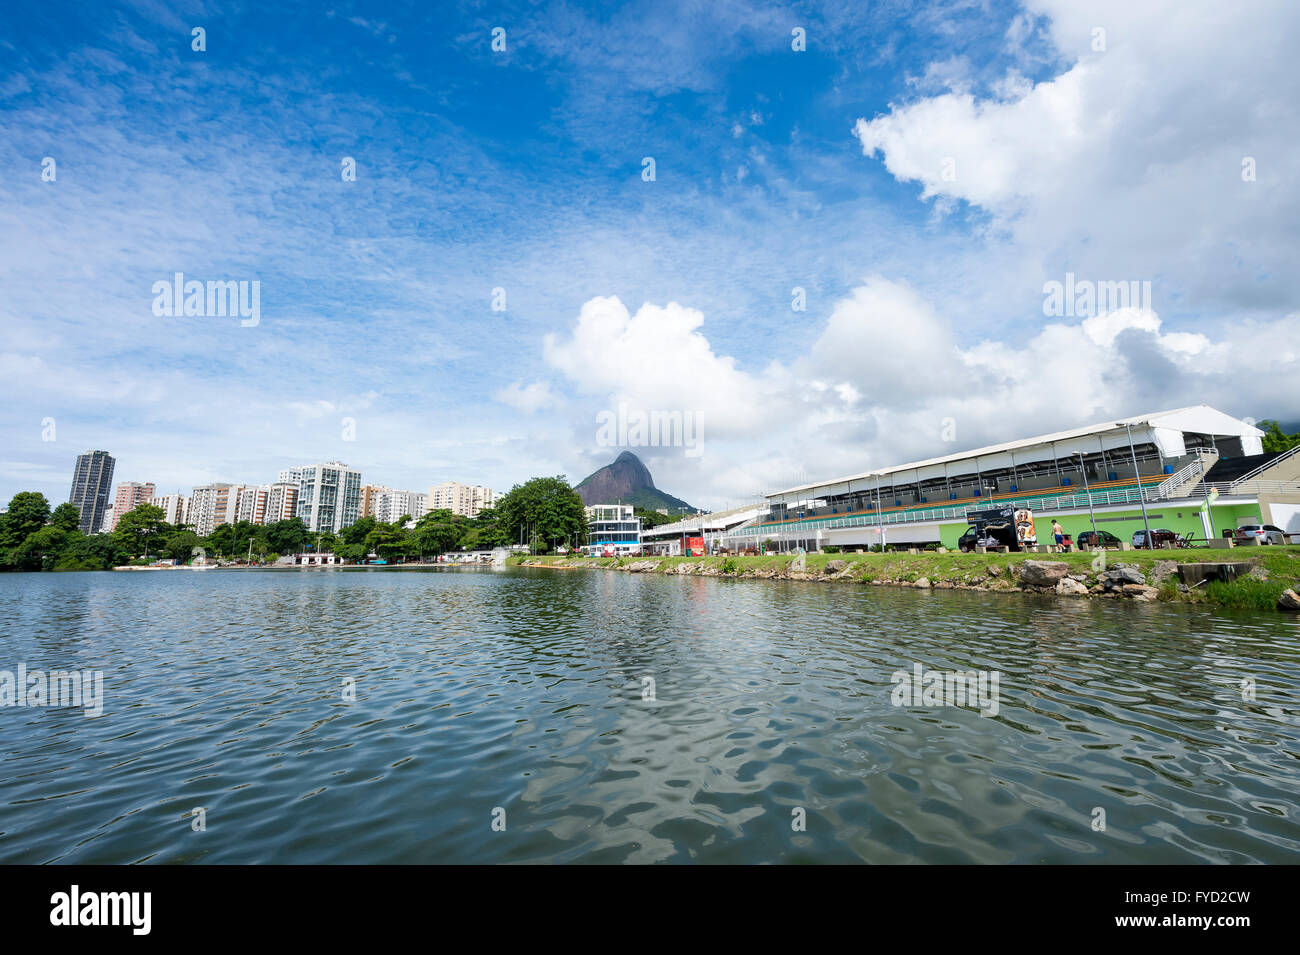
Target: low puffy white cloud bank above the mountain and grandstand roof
column 886, row 376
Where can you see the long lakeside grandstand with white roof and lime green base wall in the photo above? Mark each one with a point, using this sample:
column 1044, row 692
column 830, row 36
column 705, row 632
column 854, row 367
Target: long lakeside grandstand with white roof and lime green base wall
column 1194, row 471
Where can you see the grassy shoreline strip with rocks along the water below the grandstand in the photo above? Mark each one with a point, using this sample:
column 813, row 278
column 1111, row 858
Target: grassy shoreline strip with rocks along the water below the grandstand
column 1143, row 576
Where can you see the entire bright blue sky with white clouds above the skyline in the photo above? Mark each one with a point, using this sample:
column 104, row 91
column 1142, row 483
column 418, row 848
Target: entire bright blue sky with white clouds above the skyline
column 822, row 170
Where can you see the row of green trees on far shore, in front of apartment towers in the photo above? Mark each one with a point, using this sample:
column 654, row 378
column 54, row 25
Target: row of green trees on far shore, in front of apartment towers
column 543, row 514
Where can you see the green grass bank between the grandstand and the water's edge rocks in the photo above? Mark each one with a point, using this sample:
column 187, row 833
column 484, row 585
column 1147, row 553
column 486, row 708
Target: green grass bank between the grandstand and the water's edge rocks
column 1275, row 571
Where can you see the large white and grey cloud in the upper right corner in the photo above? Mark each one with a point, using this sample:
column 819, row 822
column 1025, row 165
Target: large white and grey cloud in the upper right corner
column 1129, row 163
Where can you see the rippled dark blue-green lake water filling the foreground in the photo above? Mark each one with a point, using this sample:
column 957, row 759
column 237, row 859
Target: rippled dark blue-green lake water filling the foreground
column 523, row 691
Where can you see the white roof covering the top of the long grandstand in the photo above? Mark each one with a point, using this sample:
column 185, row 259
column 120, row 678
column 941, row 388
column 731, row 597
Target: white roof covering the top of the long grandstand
column 1165, row 428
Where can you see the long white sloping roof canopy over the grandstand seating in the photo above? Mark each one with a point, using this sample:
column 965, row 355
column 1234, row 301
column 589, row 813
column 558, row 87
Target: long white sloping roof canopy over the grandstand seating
column 1164, row 429
